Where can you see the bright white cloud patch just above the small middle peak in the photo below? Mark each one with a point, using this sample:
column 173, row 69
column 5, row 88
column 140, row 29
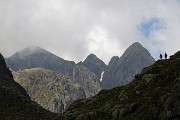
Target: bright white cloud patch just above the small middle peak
column 100, row 43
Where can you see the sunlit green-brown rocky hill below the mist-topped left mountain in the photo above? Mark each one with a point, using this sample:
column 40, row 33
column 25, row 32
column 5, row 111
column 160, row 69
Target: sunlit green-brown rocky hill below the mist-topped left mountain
column 52, row 90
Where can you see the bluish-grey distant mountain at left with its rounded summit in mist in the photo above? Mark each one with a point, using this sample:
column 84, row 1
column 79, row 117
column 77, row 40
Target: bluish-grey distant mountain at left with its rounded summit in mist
column 33, row 56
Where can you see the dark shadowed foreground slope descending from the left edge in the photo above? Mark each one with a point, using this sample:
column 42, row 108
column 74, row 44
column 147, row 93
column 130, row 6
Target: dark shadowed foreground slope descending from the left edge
column 15, row 104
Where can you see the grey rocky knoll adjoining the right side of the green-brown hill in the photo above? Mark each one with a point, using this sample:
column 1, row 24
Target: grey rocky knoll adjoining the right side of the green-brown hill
column 87, row 80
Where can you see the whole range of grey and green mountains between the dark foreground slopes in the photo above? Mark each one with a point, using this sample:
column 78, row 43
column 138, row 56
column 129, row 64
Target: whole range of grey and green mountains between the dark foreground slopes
column 46, row 76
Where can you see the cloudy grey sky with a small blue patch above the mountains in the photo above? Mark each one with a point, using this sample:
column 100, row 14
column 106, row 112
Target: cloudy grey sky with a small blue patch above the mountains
column 72, row 29
